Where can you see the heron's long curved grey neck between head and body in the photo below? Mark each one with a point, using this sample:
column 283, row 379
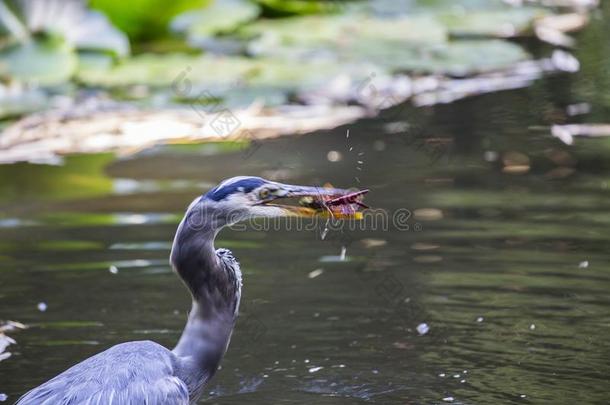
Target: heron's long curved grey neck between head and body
column 214, row 309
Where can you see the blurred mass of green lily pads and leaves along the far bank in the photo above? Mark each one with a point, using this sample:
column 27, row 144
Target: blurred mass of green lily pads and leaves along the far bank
column 233, row 48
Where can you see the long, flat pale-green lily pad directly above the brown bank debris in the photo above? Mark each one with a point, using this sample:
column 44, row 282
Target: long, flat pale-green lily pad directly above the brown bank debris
column 189, row 75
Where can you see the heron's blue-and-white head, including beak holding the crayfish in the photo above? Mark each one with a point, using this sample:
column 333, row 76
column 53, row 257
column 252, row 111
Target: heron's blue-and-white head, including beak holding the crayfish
column 240, row 198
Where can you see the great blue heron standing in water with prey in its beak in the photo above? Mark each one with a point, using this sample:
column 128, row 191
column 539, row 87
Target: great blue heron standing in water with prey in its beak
column 145, row 372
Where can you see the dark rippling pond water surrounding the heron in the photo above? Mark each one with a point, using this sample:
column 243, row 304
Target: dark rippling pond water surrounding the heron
column 493, row 221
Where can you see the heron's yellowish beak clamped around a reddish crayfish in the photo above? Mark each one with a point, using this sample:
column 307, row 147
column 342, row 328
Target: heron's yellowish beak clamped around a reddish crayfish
column 327, row 202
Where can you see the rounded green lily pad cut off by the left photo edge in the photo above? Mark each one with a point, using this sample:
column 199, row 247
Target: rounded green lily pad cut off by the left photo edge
column 41, row 62
